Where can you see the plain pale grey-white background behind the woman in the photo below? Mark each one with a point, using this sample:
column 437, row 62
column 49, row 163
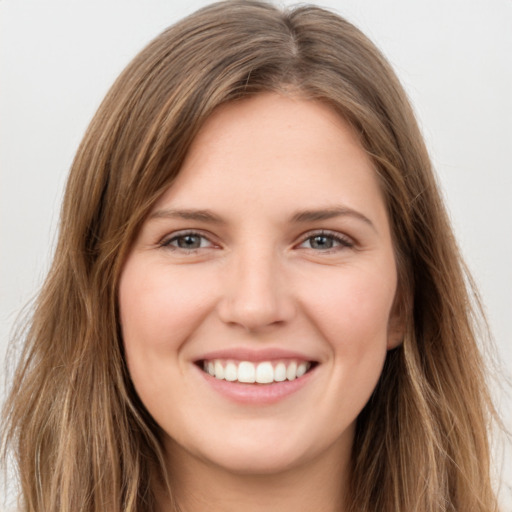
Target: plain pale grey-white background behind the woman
column 58, row 58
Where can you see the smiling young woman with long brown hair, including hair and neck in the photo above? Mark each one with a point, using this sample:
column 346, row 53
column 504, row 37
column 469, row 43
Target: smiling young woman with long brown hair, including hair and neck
column 256, row 298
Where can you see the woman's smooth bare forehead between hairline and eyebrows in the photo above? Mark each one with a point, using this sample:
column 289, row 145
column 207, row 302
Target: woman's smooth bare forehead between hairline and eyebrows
column 274, row 153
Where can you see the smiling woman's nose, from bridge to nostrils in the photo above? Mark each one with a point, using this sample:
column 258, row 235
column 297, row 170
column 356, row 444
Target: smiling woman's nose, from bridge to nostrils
column 256, row 293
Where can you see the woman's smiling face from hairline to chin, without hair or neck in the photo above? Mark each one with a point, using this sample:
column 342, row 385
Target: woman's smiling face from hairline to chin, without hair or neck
column 269, row 256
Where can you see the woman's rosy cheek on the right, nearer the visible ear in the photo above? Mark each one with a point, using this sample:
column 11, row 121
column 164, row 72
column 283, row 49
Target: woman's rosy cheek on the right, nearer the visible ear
column 350, row 310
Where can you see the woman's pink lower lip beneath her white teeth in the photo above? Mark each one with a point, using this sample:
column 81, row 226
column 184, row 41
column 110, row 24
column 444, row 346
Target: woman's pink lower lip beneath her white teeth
column 257, row 394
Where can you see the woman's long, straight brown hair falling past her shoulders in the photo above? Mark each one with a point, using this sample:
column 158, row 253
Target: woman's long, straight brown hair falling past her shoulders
column 82, row 439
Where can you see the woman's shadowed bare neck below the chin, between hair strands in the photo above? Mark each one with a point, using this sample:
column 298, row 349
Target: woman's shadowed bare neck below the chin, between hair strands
column 318, row 484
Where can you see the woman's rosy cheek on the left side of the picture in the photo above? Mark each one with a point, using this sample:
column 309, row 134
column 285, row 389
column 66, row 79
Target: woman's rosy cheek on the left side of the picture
column 159, row 310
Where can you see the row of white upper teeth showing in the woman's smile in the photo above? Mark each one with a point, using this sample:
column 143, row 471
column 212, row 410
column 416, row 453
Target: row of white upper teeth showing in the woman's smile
column 263, row 373
